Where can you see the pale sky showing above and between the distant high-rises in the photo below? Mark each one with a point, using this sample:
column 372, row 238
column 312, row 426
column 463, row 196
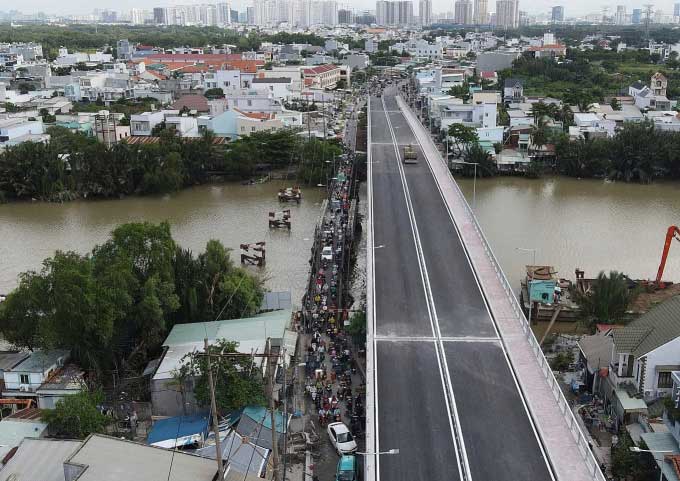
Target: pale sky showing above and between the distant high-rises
column 86, row 7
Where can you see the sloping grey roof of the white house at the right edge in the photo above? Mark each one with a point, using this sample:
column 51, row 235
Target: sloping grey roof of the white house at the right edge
column 651, row 330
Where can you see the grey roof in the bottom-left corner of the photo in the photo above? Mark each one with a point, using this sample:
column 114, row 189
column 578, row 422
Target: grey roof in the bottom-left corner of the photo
column 39, row 459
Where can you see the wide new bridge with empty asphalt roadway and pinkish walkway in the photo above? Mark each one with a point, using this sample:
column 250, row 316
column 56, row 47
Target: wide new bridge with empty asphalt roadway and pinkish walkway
column 456, row 379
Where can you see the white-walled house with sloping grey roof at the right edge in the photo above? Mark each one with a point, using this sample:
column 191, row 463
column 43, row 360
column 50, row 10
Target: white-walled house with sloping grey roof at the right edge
column 644, row 355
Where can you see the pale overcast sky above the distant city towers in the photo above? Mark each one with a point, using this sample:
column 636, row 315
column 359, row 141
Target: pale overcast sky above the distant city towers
column 572, row 7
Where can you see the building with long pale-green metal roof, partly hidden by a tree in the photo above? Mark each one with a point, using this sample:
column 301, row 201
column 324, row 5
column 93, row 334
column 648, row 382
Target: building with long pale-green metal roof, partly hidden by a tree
column 251, row 334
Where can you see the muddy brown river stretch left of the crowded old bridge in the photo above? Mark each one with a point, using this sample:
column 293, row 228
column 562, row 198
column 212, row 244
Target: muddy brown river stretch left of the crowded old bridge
column 231, row 213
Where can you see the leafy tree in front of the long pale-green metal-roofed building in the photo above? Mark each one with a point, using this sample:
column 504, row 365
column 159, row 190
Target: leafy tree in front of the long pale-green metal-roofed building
column 238, row 380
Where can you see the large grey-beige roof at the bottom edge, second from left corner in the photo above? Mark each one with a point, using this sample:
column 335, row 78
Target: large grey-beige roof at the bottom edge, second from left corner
column 104, row 458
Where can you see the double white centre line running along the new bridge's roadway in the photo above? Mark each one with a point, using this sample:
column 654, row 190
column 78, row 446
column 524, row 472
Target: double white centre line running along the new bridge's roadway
column 454, row 422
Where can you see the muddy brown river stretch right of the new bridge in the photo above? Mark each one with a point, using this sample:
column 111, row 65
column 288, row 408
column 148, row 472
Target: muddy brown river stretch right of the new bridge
column 574, row 223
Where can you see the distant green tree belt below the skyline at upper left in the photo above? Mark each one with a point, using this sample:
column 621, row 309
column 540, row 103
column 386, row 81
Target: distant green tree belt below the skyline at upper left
column 88, row 37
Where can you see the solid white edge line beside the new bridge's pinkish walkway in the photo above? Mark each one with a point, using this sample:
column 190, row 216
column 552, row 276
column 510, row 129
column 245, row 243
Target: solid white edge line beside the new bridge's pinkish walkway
column 522, row 394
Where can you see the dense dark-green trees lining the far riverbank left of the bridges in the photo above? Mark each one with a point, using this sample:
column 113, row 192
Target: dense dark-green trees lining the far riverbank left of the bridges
column 73, row 165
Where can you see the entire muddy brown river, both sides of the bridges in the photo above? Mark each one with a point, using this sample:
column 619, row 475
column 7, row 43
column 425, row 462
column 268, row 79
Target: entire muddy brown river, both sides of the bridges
column 572, row 223
